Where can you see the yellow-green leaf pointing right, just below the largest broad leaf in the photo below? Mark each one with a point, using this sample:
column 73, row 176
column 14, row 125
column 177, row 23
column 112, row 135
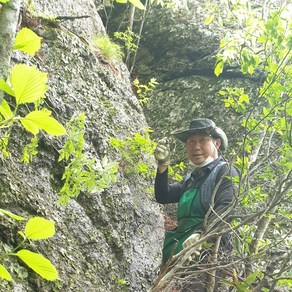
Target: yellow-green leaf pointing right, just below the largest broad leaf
column 41, row 120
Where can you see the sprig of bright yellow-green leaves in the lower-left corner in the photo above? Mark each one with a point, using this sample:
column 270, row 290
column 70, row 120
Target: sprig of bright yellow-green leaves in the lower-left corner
column 36, row 228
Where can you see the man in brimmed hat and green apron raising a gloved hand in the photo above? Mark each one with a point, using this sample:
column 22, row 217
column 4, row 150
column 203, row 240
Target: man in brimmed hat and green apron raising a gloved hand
column 211, row 174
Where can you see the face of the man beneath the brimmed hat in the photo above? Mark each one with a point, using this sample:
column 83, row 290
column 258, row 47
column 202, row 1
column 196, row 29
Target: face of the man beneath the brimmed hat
column 200, row 147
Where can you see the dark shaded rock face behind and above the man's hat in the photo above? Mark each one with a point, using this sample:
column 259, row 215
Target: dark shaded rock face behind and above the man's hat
column 179, row 49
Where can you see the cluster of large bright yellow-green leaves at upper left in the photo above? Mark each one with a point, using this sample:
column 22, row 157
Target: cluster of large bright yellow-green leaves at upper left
column 27, row 85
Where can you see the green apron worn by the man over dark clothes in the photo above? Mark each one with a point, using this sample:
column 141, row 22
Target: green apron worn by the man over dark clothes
column 190, row 217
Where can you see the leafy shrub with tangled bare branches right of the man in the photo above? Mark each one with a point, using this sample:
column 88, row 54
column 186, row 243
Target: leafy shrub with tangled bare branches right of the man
column 259, row 45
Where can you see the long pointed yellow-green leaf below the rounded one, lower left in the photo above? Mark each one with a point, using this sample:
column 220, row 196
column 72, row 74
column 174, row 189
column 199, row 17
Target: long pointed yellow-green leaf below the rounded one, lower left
column 39, row 264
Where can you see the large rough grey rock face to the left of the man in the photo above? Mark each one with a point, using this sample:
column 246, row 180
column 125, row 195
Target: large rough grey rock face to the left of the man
column 107, row 241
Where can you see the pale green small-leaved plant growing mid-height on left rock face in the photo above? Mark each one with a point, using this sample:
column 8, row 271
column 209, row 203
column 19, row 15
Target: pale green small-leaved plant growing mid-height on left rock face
column 81, row 173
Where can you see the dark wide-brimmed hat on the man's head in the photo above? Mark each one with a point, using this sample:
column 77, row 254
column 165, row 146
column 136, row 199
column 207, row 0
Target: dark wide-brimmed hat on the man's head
column 203, row 126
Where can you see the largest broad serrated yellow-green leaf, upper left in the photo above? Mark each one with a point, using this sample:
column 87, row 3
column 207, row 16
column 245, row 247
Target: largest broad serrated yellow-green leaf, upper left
column 29, row 83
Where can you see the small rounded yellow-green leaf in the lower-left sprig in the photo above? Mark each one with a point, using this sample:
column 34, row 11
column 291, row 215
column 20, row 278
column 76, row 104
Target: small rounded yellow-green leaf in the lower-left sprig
column 39, row 228
